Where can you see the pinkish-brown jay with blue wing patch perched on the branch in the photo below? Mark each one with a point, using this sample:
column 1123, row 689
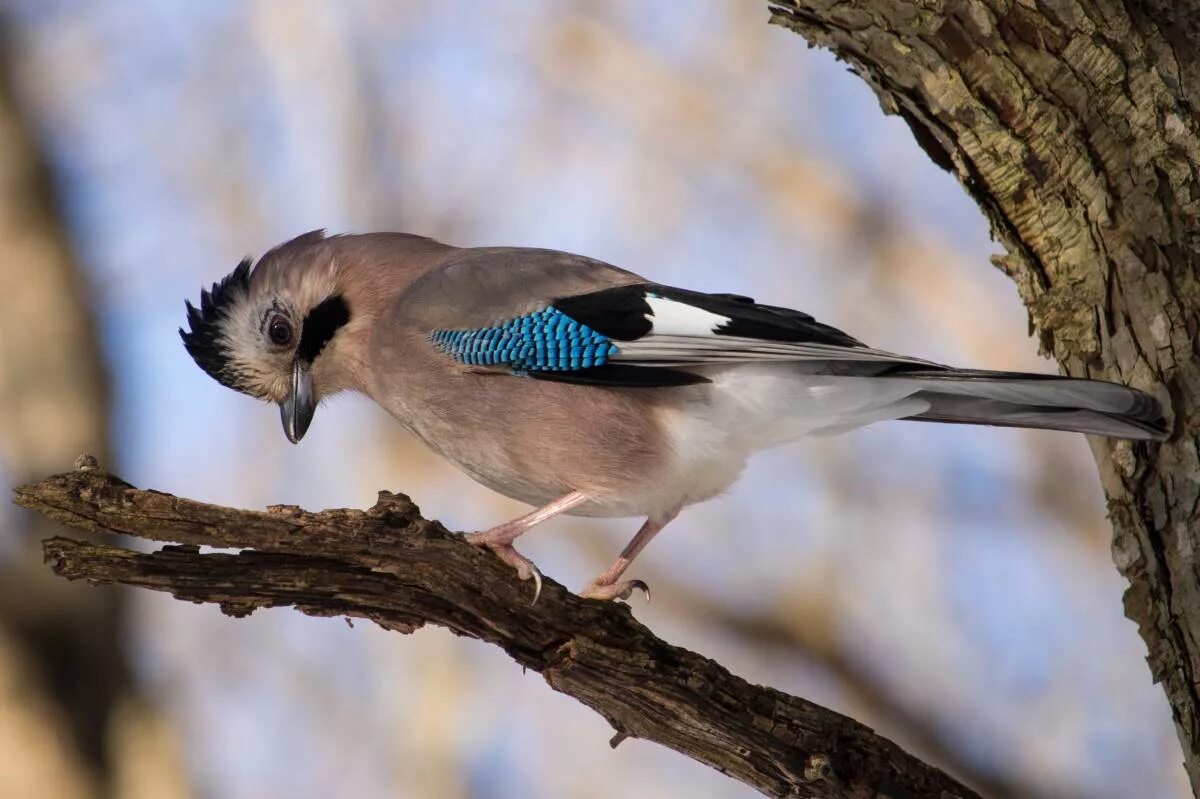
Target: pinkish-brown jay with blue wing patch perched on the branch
column 584, row 389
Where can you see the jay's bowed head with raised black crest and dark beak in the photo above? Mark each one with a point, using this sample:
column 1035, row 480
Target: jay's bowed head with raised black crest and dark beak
column 273, row 332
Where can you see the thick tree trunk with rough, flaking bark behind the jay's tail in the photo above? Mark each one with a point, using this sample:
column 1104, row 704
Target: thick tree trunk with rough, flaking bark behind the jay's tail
column 1075, row 125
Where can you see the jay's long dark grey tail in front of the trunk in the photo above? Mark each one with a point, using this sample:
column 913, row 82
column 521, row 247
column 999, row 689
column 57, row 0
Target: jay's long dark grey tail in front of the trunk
column 1041, row 401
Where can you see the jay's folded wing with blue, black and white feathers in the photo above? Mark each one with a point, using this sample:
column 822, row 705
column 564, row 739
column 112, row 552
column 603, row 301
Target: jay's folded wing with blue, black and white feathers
column 532, row 320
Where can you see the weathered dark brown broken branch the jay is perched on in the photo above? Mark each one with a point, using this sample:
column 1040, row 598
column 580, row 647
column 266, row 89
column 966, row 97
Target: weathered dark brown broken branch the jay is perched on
column 401, row 572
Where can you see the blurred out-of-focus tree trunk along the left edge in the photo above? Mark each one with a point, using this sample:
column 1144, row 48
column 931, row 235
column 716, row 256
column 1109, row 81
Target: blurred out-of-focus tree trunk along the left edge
column 67, row 696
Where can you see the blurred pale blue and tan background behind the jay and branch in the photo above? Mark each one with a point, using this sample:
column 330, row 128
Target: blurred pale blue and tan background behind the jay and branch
column 950, row 587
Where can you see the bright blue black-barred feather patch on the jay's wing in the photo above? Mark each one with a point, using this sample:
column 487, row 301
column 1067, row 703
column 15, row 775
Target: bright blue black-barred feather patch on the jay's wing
column 543, row 341
